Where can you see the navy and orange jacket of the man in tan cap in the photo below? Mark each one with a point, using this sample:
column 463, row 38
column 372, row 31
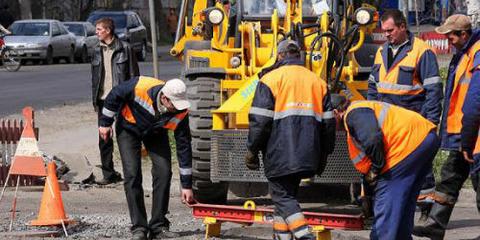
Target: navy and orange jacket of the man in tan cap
column 459, row 76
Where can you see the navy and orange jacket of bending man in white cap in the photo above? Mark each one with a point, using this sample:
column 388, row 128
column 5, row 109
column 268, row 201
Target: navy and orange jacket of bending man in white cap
column 135, row 101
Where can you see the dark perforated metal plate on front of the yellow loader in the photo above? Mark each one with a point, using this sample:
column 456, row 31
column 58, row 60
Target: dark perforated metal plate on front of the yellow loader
column 228, row 148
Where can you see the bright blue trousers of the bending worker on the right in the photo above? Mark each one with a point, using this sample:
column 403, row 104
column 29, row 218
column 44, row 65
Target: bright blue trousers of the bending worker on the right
column 397, row 191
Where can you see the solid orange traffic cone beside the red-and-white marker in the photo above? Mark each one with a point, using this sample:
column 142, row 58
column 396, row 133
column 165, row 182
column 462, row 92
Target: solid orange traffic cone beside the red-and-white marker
column 51, row 209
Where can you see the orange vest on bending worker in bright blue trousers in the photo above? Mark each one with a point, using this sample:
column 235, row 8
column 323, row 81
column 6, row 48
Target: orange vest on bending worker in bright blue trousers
column 403, row 131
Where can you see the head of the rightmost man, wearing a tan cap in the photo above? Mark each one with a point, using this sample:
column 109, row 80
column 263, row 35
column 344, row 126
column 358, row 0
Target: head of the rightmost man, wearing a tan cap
column 458, row 29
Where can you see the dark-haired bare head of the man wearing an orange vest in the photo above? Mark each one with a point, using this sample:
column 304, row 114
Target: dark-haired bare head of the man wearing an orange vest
column 394, row 26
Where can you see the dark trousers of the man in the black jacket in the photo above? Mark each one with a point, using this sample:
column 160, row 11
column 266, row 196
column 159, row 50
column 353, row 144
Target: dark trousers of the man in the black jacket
column 106, row 150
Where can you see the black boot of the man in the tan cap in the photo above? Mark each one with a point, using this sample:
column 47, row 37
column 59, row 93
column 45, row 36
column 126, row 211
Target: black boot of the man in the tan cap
column 434, row 227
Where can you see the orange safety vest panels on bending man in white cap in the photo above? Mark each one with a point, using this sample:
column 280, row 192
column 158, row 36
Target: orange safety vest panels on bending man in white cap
column 143, row 99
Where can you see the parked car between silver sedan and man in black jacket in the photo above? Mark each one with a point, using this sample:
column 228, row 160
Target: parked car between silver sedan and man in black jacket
column 86, row 40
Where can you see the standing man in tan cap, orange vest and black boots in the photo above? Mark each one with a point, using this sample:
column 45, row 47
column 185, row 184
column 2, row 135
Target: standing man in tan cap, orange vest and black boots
column 455, row 171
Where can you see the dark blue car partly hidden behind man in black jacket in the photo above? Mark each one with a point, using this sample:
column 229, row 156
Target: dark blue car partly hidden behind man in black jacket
column 128, row 27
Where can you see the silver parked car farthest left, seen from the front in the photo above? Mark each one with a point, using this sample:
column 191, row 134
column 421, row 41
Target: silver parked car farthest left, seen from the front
column 45, row 39
